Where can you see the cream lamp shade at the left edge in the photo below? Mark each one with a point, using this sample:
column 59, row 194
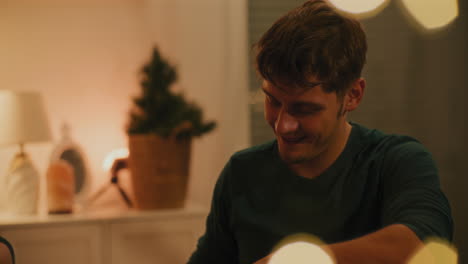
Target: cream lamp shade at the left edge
column 22, row 118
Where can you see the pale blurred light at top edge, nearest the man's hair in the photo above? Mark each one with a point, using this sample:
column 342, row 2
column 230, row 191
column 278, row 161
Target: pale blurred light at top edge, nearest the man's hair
column 360, row 8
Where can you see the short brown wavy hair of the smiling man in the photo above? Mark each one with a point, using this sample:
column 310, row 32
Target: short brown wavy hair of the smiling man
column 316, row 40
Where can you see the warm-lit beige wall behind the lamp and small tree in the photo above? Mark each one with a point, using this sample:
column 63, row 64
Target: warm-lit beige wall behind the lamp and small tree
column 84, row 56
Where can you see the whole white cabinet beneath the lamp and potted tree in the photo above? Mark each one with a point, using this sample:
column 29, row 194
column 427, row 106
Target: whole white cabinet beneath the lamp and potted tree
column 166, row 236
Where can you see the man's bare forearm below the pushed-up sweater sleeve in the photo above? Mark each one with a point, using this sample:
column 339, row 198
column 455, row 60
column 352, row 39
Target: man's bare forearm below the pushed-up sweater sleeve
column 392, row 244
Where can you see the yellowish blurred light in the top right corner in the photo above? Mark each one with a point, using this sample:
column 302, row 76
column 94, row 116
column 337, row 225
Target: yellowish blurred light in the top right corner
column 432, row 14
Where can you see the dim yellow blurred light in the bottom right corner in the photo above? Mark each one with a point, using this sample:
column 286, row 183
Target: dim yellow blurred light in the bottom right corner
column 435, row 251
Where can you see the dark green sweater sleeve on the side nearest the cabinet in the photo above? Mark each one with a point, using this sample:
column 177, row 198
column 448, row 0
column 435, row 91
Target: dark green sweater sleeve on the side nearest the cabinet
column 217, row 244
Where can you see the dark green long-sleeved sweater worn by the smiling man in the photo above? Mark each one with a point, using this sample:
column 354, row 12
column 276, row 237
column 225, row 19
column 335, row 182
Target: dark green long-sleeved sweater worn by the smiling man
column 377, row 180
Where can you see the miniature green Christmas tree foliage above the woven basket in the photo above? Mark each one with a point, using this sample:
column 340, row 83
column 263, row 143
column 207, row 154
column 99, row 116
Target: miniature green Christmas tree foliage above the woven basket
column 160, row 111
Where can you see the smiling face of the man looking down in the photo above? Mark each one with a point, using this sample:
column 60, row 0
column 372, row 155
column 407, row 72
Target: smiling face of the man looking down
column 306, row 122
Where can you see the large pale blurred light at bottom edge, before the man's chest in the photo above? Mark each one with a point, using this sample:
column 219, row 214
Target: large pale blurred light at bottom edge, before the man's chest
column 300, row 253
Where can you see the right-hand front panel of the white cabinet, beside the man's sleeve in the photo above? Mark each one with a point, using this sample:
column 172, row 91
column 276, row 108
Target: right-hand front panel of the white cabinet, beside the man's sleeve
column 159, row 241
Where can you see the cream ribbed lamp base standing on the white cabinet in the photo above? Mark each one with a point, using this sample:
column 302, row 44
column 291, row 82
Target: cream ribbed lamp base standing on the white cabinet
column 22, row 186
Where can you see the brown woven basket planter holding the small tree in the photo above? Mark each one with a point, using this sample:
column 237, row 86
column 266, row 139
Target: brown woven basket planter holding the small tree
column 159, row 170
